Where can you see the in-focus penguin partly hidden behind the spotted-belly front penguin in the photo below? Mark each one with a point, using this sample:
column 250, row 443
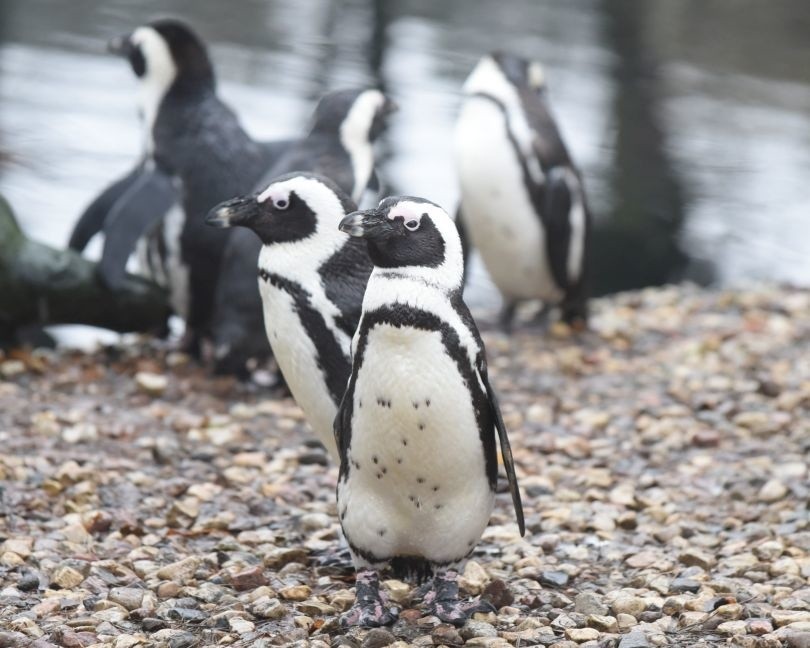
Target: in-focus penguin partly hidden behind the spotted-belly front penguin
column 311, row 278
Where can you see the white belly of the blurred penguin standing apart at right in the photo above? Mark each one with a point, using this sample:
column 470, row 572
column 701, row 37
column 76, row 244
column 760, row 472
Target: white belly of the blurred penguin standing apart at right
column 498, row 213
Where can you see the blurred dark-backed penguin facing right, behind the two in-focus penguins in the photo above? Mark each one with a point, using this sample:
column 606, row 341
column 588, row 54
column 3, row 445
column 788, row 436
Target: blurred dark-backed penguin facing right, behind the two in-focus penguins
column 339, row 146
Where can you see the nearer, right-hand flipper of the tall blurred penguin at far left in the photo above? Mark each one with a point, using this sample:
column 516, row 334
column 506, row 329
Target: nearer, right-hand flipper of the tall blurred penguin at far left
column 144, row 203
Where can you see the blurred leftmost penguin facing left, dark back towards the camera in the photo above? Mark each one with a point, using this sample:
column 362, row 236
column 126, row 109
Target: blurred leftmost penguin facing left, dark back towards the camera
column 196, row 139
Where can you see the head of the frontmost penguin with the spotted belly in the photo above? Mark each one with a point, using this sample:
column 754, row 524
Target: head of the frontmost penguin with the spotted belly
column 406, row 232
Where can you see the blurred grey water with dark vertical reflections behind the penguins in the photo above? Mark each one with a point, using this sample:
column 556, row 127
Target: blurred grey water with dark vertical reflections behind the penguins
column 689, row 119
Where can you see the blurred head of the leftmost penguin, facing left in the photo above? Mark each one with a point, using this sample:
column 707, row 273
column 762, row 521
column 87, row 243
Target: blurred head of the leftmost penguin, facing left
column 166, row 49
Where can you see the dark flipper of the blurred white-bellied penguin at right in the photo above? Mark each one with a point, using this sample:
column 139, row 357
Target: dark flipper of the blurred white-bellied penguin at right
column 557, row 203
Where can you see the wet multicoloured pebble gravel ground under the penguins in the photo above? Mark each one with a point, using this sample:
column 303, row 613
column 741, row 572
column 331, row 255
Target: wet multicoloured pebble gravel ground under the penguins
column 663, row 458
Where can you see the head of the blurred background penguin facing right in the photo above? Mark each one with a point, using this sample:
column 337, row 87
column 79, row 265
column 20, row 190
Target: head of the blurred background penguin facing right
column 362, row 113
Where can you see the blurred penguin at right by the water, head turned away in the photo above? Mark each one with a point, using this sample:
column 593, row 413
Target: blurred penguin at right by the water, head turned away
column 522, row 198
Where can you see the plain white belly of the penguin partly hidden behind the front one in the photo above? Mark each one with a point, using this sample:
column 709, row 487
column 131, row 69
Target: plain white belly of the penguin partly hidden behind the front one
column 296, row 356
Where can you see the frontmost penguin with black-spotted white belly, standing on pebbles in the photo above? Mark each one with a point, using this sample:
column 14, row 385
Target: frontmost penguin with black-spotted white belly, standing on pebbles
column 416, row 428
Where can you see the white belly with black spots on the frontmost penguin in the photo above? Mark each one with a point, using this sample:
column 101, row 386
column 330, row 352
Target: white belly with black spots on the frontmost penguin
column 417, row 483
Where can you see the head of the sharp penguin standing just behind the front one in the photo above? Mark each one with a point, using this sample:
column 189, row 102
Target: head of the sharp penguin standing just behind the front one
column 289, row 209
